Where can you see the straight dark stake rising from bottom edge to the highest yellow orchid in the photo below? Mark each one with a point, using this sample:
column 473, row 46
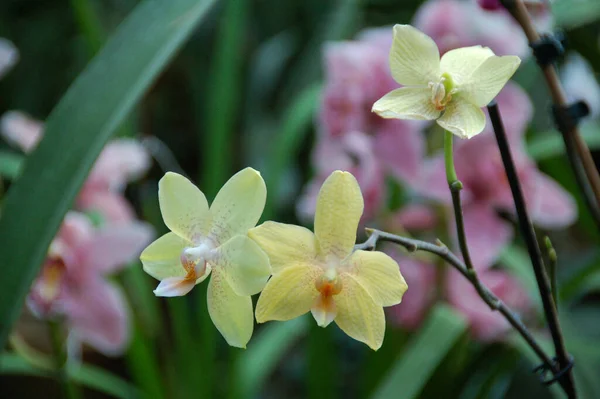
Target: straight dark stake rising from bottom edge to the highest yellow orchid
column 534, row 250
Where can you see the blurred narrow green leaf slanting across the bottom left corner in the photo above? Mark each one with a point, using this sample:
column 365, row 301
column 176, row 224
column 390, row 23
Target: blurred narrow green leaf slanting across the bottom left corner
column 84, row 374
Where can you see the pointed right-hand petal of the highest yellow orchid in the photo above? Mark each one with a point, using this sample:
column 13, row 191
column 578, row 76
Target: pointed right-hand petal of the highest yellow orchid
column 487, row 80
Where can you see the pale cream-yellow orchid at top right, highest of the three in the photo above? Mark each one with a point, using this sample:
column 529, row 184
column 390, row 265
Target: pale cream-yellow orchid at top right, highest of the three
column 455, row 86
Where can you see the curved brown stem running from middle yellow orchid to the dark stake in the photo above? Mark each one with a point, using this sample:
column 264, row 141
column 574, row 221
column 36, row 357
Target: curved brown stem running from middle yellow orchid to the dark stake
column 495, row 303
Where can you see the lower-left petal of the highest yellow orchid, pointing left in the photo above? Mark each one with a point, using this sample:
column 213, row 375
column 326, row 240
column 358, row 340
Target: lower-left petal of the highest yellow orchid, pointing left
column 407, row 103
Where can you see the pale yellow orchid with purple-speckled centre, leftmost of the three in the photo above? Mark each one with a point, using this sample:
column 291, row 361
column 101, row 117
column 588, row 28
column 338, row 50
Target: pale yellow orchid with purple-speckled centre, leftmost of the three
column 204, row 240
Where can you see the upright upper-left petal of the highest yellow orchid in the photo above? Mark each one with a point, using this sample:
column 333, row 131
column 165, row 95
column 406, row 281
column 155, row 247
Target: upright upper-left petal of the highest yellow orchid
column 414, row 57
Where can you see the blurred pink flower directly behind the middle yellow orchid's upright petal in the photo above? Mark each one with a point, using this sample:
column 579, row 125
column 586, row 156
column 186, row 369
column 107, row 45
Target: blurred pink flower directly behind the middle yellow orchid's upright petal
column 352, row 152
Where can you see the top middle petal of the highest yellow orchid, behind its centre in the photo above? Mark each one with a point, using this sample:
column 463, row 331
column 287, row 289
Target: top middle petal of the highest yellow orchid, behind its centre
column 460, row 63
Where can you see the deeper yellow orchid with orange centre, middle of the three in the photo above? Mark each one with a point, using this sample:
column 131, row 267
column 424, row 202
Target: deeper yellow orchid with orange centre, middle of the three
column 320, row 272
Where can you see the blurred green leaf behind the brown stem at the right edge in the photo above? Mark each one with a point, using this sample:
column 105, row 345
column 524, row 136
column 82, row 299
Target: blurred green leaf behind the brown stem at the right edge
column 549, row 144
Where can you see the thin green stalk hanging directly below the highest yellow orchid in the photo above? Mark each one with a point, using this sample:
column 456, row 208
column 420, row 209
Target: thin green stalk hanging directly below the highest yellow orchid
column 455, row 186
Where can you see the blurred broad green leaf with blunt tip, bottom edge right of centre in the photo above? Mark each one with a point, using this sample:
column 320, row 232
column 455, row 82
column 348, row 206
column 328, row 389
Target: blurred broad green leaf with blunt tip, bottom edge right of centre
column 425, row 352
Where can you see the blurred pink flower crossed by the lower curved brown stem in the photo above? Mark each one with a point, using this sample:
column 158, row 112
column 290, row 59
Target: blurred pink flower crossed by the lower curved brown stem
column 486, row 324
